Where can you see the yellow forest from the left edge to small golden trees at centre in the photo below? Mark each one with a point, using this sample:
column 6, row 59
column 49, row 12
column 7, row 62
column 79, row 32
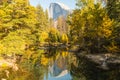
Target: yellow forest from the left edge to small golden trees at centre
column 24, row 27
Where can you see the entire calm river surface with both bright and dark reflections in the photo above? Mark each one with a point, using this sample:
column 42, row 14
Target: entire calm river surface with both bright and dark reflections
column 57, row 64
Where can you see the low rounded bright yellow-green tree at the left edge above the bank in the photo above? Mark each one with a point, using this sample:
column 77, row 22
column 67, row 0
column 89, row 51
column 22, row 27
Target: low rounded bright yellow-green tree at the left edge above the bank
column 12, row 44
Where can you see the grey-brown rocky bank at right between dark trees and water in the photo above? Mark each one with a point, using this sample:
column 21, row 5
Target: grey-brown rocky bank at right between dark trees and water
column 102, row 61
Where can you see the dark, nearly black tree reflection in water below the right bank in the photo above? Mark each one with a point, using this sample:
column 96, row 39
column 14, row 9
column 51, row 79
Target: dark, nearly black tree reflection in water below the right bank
column 86, row 70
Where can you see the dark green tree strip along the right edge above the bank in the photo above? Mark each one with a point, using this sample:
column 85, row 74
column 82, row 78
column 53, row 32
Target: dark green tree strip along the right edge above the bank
column 113, row 10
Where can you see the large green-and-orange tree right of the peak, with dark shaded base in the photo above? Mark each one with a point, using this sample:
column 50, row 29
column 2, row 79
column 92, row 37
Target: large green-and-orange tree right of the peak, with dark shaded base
column 91, row 27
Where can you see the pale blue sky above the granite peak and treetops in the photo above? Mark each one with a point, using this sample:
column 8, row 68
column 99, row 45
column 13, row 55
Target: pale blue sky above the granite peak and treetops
column 45, row 3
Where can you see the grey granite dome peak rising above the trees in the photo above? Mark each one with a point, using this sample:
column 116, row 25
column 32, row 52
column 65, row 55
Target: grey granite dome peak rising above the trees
column 58, row 9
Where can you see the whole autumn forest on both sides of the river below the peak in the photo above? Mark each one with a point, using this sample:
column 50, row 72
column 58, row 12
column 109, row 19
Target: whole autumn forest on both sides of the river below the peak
column 94, row 25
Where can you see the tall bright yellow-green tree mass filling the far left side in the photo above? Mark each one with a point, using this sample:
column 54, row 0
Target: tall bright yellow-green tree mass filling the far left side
column 17, row 27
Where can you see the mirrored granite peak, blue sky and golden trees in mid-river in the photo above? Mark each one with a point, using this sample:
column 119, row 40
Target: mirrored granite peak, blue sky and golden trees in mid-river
column 58, row 65
